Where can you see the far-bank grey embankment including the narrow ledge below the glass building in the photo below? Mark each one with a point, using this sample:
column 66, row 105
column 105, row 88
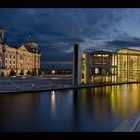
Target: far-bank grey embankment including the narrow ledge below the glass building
column 41, row 84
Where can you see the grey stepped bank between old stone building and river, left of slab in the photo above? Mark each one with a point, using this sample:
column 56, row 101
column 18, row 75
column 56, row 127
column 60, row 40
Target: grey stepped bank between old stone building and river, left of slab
column 32, row 84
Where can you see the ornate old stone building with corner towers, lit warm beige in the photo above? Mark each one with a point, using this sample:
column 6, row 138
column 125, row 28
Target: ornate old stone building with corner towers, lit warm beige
column 22, row 58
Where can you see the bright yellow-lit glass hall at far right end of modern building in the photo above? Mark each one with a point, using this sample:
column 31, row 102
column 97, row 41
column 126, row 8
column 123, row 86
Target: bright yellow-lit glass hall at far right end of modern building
column 128, row 68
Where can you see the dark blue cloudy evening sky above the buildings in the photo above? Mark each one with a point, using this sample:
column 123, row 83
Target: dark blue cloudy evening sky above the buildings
column 56, row 30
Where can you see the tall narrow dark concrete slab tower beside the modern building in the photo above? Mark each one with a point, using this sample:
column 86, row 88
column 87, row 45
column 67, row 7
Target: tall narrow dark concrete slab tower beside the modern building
column 76, row 65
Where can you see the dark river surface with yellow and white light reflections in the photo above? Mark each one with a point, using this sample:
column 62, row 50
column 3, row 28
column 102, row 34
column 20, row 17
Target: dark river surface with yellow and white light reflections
column 87, row 109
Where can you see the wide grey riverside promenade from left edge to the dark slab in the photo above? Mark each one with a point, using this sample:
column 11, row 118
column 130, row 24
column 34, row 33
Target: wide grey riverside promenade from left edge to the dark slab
column 32, row 84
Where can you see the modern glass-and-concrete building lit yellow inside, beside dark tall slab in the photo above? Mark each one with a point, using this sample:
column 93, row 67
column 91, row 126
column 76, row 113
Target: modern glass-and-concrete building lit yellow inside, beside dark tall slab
column 104, row 66
